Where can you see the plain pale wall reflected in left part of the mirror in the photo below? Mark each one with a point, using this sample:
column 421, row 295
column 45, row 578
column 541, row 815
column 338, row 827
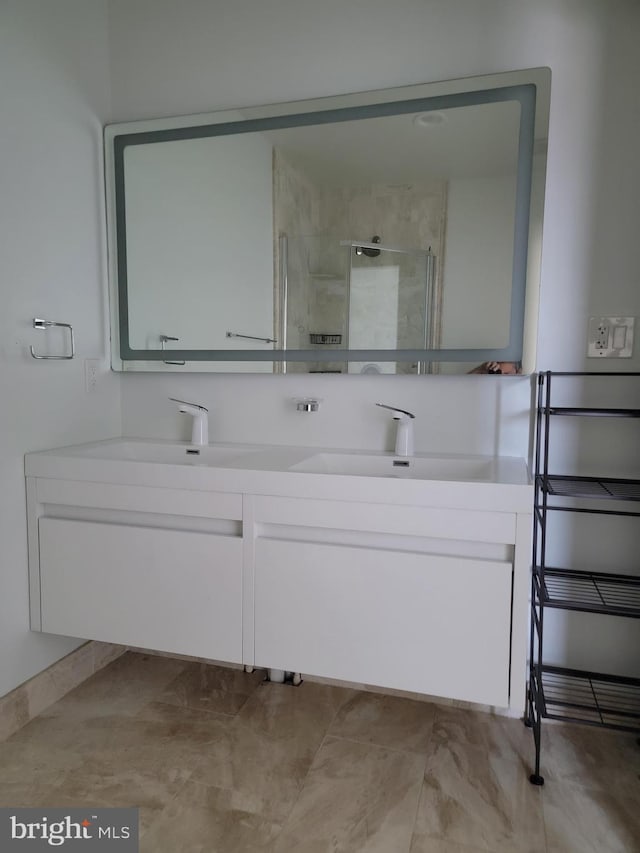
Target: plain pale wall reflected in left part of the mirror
column 175, row 236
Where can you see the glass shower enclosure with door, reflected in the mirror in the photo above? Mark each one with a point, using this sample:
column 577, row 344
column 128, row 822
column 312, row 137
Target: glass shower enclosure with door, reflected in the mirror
column 338, row 294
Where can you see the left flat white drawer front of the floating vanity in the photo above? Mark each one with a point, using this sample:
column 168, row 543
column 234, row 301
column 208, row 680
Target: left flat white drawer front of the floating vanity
column 168, row 590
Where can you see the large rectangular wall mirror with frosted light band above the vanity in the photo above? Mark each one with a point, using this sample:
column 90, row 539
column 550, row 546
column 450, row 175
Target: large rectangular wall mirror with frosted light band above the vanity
column 395, row 231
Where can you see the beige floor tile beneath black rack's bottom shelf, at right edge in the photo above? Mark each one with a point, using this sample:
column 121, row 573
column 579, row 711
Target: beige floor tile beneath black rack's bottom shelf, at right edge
column 593, row 758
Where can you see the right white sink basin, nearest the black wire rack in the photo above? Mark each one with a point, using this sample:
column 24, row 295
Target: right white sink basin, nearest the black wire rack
column 465, row 468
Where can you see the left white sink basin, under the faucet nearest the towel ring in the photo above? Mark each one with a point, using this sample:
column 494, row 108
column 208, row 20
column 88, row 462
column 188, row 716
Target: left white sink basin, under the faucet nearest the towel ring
column 167, row 453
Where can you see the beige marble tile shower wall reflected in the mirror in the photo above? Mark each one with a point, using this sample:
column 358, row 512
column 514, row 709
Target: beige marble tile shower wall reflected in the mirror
column 317, row 218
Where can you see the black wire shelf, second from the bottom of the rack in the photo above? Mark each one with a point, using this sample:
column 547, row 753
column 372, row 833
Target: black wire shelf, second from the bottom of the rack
column 591, row 592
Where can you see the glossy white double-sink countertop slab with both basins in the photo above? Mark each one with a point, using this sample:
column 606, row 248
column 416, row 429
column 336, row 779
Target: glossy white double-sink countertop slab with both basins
column 491, row 483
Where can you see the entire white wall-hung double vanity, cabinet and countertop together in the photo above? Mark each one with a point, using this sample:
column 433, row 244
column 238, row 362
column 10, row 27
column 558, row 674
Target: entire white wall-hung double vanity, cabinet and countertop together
column 407, row 583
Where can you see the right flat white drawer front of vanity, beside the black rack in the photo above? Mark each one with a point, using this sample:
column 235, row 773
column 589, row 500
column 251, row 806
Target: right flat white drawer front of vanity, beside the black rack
column 432, row 624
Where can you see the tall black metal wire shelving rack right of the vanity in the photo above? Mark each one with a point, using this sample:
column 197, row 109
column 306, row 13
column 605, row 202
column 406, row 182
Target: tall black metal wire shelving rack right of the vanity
column 561, row 693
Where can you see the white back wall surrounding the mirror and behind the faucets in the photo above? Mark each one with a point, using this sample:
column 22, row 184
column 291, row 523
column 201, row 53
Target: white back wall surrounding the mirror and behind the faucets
column 171, row 58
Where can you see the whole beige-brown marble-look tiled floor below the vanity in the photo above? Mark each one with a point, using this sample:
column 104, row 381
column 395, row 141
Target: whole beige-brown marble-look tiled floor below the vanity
column 220, row 762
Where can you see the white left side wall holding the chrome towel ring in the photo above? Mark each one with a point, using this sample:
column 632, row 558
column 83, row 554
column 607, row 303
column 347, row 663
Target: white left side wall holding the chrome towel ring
column 54, row 94
